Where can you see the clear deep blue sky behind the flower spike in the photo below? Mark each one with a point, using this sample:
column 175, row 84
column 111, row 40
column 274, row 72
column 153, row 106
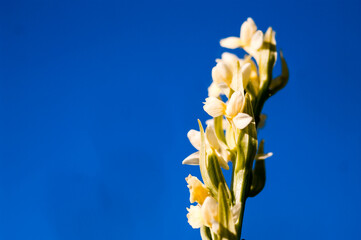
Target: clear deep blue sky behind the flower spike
column 96, row 98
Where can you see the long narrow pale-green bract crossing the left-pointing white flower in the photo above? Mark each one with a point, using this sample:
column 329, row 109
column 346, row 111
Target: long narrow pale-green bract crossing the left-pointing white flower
column 203, row 164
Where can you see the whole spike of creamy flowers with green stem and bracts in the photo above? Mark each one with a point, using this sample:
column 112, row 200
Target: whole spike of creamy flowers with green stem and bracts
column 237, row 94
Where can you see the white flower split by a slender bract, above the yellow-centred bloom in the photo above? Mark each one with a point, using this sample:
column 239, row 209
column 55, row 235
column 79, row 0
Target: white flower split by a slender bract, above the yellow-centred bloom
column 212, row 146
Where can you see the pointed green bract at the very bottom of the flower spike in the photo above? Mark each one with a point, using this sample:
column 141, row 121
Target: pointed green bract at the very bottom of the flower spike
column 227, row 228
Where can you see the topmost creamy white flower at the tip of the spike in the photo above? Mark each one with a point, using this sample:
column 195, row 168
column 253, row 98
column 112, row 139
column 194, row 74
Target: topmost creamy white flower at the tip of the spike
column 250, row 39
